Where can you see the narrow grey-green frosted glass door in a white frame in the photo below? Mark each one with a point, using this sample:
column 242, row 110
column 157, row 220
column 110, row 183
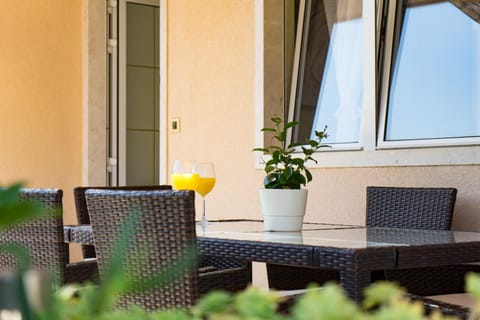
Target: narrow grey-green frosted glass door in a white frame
column 139, row 93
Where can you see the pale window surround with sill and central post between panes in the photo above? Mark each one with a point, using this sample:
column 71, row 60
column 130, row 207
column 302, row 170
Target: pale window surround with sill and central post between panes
column 369, row 152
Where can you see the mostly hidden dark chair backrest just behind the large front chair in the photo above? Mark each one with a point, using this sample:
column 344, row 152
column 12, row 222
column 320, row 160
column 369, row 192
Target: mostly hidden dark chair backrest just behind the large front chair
column 82, row 210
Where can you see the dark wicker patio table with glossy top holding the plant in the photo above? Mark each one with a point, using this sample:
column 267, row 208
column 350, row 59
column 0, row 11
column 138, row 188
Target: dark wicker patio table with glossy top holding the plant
column 355, row 251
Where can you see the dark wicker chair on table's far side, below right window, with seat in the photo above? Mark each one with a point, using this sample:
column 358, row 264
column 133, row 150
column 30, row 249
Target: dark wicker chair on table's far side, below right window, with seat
column 395, row 207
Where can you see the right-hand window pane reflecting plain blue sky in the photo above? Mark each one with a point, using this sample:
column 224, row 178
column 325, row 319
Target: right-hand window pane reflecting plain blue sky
column 434, row 88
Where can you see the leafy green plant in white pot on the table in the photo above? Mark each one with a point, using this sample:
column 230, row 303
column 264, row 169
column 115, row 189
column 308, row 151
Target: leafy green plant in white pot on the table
column 283, row 200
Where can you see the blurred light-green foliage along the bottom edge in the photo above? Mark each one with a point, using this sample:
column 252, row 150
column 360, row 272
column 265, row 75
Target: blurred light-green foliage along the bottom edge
column 383, row 301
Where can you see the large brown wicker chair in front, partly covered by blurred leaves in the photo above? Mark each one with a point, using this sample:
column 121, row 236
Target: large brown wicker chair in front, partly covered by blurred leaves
column 166, row 228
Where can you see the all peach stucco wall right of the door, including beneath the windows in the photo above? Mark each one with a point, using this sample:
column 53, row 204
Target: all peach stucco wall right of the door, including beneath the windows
column 211, row 88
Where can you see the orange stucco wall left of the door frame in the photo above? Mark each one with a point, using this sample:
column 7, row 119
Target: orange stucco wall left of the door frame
column 40, row 95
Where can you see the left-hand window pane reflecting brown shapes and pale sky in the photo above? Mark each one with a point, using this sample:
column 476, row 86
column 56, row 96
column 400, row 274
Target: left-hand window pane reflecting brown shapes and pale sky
column 329, row 88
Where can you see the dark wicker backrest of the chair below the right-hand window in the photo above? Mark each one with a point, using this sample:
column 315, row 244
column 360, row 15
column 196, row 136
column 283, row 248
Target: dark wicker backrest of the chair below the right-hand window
column 415, row 208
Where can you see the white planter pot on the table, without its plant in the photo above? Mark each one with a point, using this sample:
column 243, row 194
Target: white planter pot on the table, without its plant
column 283, row 209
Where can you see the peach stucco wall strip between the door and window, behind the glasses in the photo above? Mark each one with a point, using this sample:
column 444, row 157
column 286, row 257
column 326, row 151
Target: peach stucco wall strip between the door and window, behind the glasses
column 211, row 88
